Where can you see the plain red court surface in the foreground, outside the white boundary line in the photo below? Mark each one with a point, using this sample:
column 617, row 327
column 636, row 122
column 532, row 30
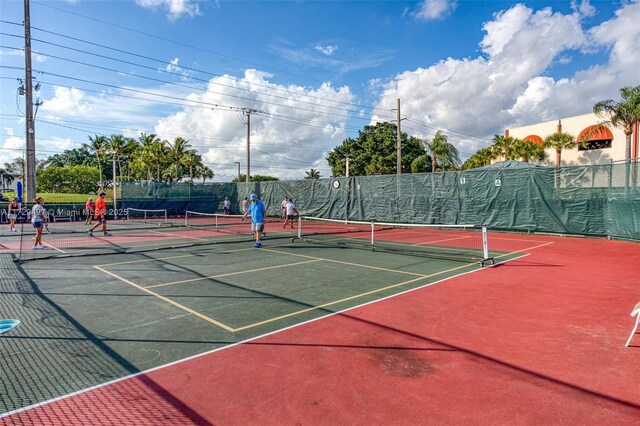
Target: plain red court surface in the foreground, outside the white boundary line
column 537, row 340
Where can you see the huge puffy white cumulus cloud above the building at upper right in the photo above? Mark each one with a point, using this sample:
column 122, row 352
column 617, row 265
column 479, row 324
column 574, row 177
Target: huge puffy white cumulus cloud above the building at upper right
column 507, row 85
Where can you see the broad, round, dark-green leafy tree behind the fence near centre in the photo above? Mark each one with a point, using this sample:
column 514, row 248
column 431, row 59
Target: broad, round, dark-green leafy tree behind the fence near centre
column 374, row 152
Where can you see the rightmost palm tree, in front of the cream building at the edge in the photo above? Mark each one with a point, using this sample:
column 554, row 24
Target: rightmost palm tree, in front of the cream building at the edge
column 622, row 114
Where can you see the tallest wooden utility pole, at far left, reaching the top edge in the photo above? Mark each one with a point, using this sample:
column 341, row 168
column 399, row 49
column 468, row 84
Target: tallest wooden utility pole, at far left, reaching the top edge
column 30, row 137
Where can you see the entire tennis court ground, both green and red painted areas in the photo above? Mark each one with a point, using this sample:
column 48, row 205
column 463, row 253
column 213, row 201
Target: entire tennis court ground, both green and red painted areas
column 218, row 332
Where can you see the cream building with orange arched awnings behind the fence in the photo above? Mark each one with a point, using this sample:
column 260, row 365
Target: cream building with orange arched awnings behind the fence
column 602, row 146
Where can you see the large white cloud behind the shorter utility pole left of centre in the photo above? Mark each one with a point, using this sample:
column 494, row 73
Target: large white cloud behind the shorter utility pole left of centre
column 288, row 136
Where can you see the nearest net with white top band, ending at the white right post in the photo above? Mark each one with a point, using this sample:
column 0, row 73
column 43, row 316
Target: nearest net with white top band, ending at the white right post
column 456, row 242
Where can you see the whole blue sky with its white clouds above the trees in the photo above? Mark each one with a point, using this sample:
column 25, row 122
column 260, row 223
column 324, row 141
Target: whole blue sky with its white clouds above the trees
column 316, row 71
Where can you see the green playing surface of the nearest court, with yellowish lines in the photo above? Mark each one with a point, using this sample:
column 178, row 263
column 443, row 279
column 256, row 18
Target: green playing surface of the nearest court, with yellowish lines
column 90, row 320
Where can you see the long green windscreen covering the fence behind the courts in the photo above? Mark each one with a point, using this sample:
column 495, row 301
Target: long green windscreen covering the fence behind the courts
column 600, row 200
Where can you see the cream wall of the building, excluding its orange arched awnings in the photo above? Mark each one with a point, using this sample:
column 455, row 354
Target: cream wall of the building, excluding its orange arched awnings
column 573, row 126
